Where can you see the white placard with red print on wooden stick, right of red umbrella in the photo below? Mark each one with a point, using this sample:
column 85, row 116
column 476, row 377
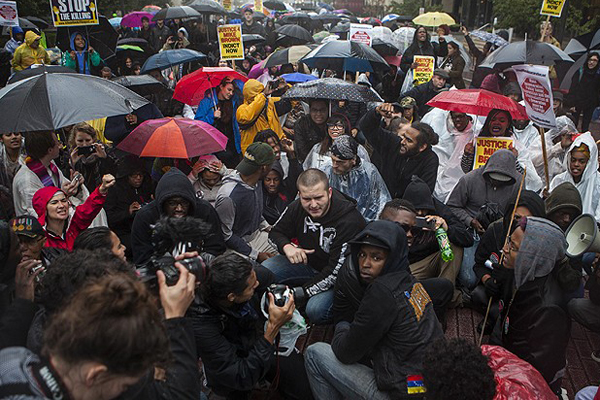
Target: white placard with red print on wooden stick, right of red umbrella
column 537, row 94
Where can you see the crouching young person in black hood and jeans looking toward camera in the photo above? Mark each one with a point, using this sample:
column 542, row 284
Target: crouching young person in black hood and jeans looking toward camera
column 383, row 316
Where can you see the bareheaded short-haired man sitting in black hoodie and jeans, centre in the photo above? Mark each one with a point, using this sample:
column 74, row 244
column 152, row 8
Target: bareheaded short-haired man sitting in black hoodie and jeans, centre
column 321, row 221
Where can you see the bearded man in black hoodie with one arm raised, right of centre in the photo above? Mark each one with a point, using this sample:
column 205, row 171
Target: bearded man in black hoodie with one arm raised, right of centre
column 404, row 153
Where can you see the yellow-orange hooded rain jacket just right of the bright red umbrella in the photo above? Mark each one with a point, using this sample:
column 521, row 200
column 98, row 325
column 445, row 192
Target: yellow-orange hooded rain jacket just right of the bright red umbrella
column 254, row 105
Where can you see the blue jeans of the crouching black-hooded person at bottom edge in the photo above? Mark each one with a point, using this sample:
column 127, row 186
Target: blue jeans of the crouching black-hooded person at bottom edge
column 332, row 380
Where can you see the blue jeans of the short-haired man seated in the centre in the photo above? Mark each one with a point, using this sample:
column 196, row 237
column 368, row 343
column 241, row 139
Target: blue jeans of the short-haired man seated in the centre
column 319, row 308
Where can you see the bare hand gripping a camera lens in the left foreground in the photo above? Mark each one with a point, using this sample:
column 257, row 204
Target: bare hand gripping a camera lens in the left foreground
column 177, row 298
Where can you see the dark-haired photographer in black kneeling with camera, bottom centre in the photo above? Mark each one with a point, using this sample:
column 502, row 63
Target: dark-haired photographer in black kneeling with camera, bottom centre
column 235, row 356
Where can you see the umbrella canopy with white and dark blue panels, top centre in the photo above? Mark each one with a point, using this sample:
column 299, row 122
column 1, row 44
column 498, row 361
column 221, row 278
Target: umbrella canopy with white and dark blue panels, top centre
column 343, row 55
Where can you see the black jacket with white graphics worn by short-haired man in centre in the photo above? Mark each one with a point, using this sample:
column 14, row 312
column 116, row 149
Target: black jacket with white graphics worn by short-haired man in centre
column 328, row 236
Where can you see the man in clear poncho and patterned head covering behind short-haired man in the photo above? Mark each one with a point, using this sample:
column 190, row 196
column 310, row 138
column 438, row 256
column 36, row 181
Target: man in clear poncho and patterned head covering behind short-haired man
column 356, row 178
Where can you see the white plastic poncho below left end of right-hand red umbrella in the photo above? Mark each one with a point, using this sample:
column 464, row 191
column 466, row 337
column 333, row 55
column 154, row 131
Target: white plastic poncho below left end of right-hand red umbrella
column 449, row 150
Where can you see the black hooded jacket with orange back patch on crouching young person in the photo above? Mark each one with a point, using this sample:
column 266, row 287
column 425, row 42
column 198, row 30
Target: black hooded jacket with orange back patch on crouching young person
column 388, row 322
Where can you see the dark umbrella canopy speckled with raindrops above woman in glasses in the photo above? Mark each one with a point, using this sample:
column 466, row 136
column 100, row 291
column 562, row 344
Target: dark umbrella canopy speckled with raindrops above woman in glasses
column 332, row 89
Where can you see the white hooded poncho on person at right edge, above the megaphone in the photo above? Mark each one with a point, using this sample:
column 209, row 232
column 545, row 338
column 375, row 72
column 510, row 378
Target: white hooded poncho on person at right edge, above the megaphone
column 589, row 185
